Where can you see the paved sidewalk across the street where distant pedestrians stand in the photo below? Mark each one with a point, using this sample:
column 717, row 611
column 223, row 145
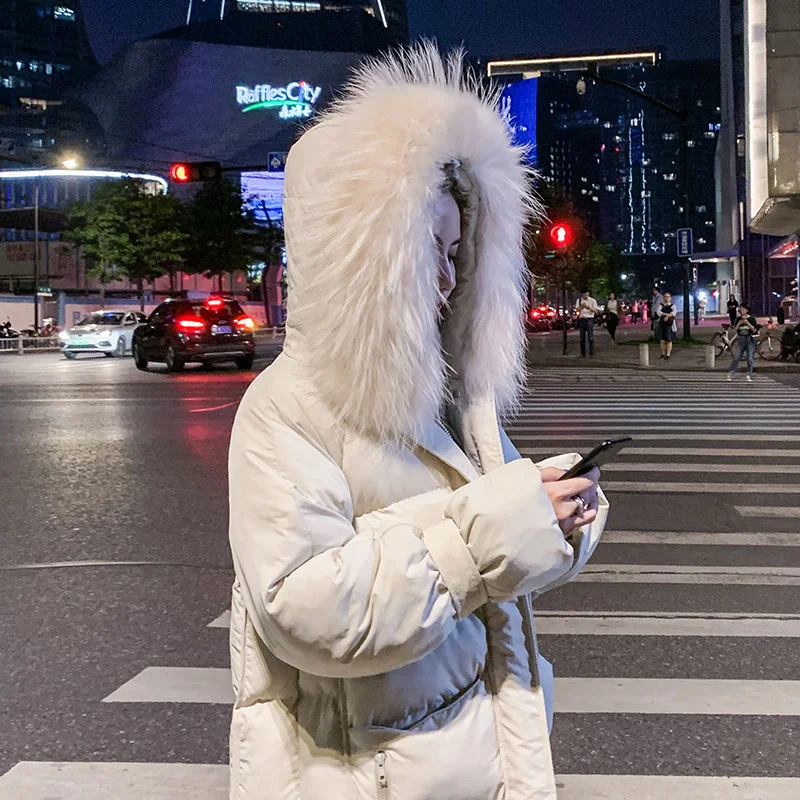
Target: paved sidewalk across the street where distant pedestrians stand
column 545, row 349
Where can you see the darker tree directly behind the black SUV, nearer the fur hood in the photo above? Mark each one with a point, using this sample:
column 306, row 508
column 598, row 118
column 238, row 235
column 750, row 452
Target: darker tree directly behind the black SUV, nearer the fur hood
column 222, row 232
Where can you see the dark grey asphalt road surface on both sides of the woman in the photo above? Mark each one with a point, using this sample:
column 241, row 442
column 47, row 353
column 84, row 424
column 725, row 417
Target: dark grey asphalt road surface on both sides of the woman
column 115, row 560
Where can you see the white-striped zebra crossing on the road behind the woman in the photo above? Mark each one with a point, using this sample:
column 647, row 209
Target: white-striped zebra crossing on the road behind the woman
column 675, row 650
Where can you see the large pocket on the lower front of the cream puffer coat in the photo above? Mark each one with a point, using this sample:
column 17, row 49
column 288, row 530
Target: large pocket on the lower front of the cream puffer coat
column 451, row 753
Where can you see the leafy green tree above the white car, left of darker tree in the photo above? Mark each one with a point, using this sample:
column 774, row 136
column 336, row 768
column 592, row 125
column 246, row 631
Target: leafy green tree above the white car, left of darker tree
column 128, row 233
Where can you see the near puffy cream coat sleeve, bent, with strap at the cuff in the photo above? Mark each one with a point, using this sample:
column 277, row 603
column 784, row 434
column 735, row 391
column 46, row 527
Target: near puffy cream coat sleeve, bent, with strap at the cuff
column 339, row 596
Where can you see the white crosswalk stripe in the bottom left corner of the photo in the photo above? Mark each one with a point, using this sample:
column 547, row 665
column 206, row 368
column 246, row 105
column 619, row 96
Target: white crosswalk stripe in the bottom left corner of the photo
column 52, row 780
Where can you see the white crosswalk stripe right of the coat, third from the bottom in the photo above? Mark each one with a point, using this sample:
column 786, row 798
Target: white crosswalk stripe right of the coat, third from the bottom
column 627, row 624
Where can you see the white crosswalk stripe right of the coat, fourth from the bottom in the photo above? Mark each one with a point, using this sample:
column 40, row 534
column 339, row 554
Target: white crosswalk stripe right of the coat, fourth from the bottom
column 669, row 573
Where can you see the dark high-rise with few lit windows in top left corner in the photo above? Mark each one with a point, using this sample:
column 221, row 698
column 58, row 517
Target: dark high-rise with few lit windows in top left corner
column 43, row 47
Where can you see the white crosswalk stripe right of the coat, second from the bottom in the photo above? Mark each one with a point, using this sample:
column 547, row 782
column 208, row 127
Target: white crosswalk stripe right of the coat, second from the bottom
column 677, row 696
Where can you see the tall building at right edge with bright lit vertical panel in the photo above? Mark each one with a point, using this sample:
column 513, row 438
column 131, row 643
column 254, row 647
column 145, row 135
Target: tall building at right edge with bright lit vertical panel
column 759, row 199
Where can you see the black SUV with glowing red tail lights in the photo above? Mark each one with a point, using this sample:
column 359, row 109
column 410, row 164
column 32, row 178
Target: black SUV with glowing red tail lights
column 190, row 330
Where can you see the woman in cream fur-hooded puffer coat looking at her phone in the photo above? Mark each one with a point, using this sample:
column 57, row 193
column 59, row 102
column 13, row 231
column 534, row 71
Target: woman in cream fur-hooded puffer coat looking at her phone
column 386, row 535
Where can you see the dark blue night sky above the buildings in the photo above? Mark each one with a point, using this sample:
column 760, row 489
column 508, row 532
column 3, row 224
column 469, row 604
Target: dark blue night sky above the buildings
column 679, row 28
